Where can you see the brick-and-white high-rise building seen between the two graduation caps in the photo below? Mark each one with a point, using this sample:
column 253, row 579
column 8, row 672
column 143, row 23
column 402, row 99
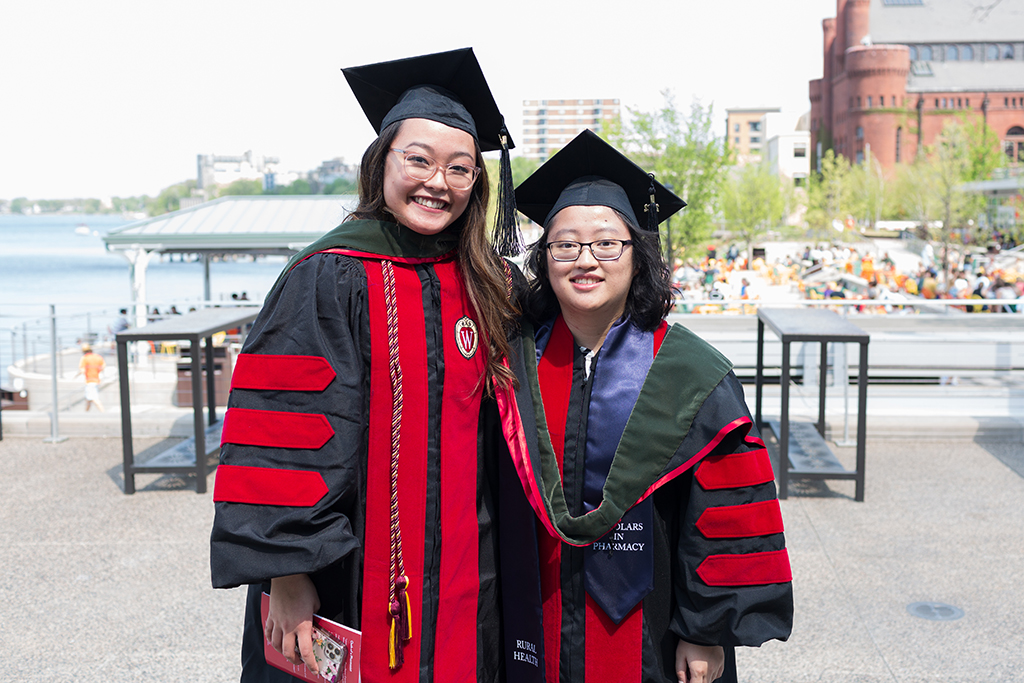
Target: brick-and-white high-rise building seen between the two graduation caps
column 550, row 124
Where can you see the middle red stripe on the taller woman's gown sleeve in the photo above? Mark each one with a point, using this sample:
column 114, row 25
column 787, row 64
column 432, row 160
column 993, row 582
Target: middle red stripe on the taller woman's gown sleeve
column 276, row 430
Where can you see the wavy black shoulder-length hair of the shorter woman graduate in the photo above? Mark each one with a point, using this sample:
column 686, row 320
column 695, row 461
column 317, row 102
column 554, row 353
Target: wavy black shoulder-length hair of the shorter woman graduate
column 652, row 291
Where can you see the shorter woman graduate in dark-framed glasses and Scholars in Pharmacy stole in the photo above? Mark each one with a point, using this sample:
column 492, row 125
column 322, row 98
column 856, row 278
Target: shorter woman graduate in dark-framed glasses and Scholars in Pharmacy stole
column 641, row 485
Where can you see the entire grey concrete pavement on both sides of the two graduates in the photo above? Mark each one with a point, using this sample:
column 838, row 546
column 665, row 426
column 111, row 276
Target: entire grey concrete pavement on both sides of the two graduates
column 117, row 587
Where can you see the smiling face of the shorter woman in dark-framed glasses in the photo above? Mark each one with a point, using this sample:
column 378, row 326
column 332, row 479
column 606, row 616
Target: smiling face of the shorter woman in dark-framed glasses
column 590, row 291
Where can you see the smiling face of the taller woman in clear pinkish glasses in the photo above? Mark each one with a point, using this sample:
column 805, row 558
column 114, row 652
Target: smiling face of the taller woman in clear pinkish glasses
column 429, row 206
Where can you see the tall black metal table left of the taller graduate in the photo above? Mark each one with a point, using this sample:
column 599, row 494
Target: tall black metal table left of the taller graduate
column 193, row 327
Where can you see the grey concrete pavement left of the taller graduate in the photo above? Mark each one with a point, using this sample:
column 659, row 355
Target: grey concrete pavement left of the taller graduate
column 100, row 586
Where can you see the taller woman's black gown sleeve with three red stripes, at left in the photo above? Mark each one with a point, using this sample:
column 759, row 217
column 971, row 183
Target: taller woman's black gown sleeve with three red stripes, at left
column 264, row 528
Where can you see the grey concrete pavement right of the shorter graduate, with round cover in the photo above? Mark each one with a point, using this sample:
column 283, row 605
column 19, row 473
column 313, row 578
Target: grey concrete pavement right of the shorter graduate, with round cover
column 943, row 522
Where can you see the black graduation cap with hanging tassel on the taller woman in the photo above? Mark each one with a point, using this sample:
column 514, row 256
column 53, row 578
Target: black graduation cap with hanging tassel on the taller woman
column 450, row 89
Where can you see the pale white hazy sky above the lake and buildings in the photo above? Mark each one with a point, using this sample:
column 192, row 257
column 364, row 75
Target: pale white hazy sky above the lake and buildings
column 117, row 98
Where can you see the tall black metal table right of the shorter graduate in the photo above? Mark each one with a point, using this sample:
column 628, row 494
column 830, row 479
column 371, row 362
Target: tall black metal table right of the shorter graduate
column 812, row 458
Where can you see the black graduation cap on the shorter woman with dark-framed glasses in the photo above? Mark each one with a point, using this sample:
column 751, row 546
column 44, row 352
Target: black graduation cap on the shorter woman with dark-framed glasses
column 588, row 172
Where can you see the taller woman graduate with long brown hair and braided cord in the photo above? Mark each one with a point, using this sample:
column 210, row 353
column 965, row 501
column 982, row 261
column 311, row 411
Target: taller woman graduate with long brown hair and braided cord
column 359, row 475
